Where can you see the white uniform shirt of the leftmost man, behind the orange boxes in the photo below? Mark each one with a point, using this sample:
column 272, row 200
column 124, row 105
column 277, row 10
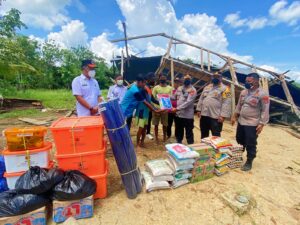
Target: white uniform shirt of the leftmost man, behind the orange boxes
column 89, row 89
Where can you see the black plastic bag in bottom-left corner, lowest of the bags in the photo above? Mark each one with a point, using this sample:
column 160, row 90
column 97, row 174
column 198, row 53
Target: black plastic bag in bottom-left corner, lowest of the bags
column 13, row 203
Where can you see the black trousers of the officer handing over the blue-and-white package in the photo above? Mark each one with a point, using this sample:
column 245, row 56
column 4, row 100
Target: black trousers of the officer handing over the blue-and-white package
column 188, row 126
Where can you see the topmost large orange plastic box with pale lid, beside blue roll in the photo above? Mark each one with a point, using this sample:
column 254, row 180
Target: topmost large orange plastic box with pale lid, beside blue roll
column 78, row 134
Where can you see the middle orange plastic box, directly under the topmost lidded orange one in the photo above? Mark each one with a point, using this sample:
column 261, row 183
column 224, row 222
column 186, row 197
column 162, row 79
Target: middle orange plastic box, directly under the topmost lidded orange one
column 89, row 163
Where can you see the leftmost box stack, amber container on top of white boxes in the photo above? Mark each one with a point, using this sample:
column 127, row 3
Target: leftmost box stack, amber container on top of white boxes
column 25, row 147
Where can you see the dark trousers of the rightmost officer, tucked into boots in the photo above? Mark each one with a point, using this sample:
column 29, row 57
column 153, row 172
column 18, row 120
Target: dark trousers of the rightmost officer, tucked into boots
column 246, row 136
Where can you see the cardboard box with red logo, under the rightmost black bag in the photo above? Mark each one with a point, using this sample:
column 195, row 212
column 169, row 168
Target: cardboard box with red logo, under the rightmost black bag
column 78, row 209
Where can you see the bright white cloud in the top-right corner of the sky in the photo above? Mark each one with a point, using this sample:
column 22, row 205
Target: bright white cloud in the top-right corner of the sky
column 281, row 12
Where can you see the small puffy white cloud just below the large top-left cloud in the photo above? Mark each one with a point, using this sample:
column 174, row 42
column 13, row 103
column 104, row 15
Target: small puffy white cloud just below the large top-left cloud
column 72, row 34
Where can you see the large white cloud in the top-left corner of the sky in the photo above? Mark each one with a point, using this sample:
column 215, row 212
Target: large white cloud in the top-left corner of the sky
column 43, row 14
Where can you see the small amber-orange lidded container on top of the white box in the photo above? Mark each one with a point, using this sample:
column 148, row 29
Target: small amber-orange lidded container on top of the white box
column 19, row 139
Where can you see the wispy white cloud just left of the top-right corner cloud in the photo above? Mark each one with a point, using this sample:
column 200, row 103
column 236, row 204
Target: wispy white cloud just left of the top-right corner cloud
column 235, row 21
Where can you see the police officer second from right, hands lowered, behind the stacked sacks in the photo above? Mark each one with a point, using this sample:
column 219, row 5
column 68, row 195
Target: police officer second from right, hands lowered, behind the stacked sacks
column 214, row 106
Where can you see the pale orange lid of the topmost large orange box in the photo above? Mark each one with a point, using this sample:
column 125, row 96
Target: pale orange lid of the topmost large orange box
column 69, row 122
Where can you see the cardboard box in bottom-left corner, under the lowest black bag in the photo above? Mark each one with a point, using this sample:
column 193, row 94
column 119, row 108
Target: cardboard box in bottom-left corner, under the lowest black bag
column 36, row 217
